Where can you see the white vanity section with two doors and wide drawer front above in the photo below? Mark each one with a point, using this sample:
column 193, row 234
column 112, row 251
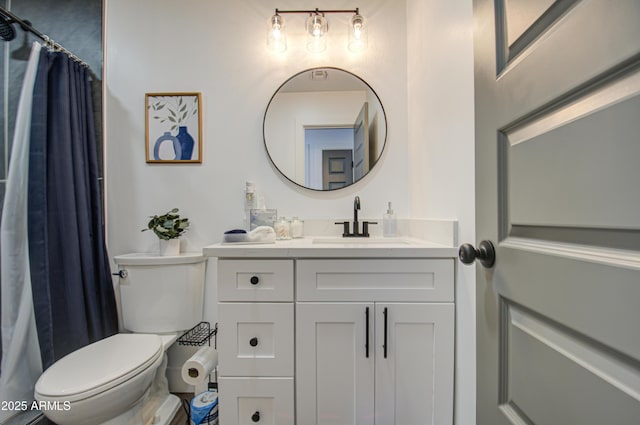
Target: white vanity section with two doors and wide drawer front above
column 364, row 360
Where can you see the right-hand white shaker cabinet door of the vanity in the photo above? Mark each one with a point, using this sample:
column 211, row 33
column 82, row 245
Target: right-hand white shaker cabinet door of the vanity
column 414, row 364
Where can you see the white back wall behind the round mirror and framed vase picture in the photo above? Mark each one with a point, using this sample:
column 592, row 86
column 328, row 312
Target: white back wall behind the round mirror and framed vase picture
column 218, row 48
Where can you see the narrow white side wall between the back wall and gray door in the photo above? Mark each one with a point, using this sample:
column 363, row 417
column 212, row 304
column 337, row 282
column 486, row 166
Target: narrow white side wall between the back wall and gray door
column 441, row 152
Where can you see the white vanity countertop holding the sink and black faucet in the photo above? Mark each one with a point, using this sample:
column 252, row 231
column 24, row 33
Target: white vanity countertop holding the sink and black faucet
column 332, row 247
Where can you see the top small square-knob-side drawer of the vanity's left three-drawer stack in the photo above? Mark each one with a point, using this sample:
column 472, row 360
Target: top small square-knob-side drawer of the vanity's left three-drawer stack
column 255, row 280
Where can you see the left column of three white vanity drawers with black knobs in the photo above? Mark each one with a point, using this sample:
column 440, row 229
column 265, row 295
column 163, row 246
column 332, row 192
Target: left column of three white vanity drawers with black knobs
column 256, row 341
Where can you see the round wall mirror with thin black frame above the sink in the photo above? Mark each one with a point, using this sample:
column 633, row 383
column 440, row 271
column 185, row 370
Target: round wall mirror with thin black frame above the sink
column 324, row 128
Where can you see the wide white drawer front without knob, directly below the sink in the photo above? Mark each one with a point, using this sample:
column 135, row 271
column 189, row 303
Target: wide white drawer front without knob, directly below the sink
column 375, row 280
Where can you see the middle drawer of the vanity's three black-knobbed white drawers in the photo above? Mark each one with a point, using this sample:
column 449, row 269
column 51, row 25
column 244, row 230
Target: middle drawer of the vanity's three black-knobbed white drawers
column 255, row 339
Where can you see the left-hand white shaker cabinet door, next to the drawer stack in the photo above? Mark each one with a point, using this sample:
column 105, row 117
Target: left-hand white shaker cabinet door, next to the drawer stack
column 334, row 376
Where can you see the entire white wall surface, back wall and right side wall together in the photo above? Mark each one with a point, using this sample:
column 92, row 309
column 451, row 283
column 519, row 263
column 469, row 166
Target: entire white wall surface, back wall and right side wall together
column 218, row 48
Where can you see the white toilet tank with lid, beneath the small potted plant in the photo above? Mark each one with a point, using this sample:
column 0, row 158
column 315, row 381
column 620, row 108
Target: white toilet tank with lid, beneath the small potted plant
column 161, row 294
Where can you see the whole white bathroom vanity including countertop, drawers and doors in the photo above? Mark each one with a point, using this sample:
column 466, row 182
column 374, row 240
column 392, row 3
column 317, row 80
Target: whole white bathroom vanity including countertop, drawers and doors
column 327, row 330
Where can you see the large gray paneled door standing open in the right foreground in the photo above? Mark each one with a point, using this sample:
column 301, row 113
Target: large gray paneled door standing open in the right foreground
column 557, row 88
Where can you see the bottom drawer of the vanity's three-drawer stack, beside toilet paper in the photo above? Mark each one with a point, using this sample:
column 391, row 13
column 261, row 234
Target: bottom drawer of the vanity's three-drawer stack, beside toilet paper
column 250, row 401
